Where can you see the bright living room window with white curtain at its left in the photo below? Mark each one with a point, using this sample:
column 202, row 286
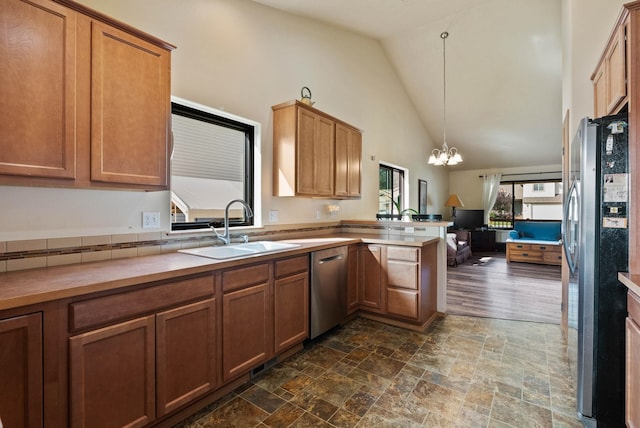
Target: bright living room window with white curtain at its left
column 526, row 200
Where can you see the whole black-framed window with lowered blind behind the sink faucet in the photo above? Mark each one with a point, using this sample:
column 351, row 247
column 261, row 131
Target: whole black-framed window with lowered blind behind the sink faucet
column 215, row 159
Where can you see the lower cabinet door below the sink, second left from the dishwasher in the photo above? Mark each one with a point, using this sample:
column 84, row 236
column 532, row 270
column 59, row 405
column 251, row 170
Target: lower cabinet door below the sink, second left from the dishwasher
column 246, row 326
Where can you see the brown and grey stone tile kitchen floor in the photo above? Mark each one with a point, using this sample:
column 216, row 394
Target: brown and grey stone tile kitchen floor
column 463, row 372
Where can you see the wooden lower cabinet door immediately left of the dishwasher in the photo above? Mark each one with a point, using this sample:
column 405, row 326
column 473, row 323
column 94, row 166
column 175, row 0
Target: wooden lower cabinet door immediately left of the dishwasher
column 291, row 316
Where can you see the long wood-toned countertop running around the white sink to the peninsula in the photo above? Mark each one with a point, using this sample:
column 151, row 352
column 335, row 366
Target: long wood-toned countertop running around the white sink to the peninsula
column 28, row 287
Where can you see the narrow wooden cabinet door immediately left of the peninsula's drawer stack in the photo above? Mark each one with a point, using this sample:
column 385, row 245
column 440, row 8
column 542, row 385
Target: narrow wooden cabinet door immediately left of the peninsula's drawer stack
column 371, row 277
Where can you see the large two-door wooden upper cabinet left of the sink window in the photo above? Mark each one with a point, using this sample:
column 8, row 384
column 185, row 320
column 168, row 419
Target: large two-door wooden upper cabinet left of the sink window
column 86, row 99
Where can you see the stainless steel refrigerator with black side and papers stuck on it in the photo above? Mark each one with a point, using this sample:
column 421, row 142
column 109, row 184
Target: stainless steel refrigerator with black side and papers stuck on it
column 595, row 237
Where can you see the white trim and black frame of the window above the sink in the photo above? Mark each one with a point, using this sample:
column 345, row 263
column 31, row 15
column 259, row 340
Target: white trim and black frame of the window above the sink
column 253, row 188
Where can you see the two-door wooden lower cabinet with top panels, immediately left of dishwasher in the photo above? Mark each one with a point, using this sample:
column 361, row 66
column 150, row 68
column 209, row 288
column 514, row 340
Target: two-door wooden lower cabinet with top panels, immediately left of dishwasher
column 265, row 311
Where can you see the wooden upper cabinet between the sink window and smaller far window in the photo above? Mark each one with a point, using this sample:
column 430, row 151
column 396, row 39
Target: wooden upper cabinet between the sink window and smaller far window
column 314, row 154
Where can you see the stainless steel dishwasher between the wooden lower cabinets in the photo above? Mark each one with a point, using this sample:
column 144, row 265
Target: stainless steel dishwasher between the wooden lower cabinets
column 328, row 289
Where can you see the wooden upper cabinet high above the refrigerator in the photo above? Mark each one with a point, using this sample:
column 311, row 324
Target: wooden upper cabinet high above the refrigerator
column 610, row 78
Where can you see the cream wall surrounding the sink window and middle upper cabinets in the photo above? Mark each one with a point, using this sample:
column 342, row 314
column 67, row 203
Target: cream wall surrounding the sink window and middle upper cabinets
column 241, row 57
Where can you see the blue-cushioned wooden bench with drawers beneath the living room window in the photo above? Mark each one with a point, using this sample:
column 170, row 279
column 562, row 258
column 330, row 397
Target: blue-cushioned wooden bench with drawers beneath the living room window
column 535, row 242
